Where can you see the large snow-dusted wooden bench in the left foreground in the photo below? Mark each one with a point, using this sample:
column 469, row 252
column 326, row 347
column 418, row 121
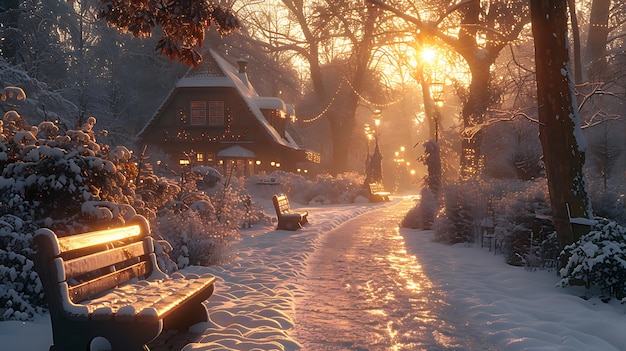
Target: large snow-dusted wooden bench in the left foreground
column 107, row 284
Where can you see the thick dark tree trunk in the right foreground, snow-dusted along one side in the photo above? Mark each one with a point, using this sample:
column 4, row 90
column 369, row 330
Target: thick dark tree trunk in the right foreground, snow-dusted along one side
column 560, row 132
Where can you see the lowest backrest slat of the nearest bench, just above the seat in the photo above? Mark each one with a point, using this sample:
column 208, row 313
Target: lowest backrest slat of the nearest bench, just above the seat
column 85, row 290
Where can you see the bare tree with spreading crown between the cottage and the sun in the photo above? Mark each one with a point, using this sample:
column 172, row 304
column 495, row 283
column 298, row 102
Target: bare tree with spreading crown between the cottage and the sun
column 337, row 40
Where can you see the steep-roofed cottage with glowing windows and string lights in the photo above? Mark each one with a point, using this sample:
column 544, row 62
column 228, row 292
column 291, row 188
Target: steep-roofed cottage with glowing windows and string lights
column 214, row 117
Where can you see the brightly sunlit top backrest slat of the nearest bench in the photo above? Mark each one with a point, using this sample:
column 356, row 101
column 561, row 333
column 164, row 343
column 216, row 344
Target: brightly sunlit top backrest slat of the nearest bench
column 81, row 241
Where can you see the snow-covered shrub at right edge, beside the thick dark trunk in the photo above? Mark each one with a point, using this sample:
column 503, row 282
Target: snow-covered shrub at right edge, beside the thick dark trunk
column 598, row 259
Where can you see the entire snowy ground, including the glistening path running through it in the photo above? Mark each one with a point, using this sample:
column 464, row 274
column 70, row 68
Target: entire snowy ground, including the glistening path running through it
column 269, row 297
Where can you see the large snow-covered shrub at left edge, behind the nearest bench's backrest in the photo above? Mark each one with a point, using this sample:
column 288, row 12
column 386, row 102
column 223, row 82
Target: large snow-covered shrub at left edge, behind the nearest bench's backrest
column 46, row 173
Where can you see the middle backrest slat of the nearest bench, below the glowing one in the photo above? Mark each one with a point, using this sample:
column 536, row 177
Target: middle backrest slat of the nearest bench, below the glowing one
column 90, row 263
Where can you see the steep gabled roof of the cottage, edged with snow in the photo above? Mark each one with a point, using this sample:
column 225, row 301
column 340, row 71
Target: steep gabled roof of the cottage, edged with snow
column 216, row 71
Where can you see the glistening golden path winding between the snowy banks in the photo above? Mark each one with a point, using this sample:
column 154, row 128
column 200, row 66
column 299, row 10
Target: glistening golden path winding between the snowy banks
column 364, row 292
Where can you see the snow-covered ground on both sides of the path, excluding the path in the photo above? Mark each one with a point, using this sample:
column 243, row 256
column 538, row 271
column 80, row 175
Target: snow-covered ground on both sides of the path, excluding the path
column 255, row 303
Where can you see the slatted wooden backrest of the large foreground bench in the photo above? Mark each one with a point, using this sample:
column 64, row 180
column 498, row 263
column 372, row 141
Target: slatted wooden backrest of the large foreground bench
column 84, row 265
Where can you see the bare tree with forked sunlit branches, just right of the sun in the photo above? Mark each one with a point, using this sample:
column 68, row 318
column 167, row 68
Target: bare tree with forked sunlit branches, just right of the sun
column 485, row 29
